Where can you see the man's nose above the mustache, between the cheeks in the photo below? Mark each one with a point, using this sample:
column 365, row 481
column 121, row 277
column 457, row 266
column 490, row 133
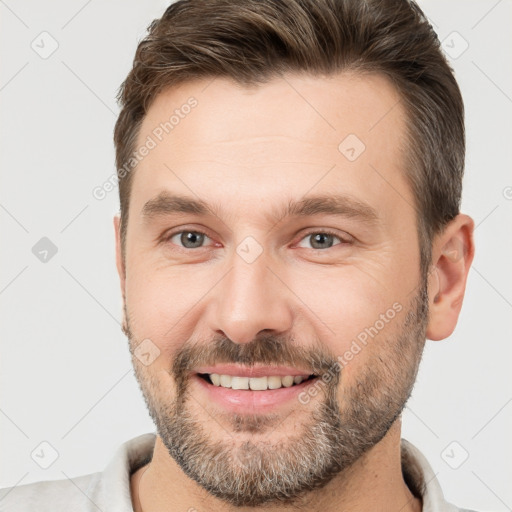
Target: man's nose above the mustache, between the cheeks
column 251, row 298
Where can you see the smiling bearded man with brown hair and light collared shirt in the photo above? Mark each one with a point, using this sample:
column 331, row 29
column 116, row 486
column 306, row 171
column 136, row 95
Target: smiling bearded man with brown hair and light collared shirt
column 290, row 179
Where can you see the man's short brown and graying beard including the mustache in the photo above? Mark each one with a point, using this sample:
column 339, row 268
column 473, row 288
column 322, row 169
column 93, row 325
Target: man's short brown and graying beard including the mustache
column 341, row 427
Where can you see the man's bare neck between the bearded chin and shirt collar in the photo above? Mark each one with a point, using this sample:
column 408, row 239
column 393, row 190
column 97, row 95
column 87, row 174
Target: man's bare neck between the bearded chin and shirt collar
column 374, row 482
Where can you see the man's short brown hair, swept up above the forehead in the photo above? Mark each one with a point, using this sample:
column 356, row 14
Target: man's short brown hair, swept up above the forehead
column 252, row 41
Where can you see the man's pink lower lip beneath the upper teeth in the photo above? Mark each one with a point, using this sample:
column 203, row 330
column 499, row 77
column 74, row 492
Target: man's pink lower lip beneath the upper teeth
column 249, row 401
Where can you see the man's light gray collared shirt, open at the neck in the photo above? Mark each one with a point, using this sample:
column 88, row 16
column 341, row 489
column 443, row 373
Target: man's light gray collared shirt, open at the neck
column 109, row 490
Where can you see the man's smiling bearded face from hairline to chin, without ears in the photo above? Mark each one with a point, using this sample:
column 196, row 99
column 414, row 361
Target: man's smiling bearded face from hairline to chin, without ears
column 306, row 257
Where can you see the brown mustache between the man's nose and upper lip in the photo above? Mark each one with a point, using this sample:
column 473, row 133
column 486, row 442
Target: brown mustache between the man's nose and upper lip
column 266, row 350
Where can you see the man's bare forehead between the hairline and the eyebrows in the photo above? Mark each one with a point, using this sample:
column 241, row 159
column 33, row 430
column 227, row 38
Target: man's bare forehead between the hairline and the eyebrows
column 214, row 138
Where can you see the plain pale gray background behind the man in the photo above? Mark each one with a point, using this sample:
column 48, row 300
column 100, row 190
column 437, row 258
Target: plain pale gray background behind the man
column 66, row 376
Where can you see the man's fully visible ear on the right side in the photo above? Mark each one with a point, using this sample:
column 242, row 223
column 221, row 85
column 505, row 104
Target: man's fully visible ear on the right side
column 452, row 254
